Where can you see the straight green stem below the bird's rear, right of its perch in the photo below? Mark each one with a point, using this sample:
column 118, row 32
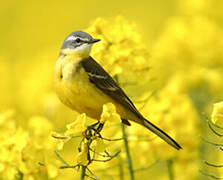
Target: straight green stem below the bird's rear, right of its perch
column 128, row 157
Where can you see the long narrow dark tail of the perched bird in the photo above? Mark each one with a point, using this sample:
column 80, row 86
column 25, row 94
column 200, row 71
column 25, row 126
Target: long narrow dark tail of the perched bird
column 161, row 134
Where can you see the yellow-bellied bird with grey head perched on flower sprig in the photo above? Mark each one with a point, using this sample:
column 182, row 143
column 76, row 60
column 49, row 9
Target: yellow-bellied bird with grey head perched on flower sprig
column 83, row 85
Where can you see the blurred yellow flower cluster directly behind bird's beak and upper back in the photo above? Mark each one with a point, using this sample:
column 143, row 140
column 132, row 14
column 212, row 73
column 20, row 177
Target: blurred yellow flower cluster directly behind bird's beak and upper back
column 121, row 46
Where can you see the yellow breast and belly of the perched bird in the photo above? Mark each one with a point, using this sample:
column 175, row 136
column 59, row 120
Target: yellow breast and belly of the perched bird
column 76, row 91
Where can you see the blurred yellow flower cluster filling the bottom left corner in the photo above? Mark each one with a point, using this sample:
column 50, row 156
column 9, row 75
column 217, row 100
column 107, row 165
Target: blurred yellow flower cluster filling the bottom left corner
column 23, row 151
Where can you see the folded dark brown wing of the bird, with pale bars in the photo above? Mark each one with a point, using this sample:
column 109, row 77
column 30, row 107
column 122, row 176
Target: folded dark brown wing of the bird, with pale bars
column 102, row 80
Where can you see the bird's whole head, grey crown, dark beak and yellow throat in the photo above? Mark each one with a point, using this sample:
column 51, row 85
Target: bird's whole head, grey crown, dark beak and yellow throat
column 78, row 42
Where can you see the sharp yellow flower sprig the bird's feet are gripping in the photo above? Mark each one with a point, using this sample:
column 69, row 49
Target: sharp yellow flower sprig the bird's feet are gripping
column 92, row 144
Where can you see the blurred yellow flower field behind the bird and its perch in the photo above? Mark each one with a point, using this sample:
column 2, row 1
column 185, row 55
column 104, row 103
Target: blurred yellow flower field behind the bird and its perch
column 177, row 47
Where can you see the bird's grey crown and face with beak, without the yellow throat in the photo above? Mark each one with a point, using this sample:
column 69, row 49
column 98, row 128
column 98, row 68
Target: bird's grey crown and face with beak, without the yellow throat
column 79, row 40
